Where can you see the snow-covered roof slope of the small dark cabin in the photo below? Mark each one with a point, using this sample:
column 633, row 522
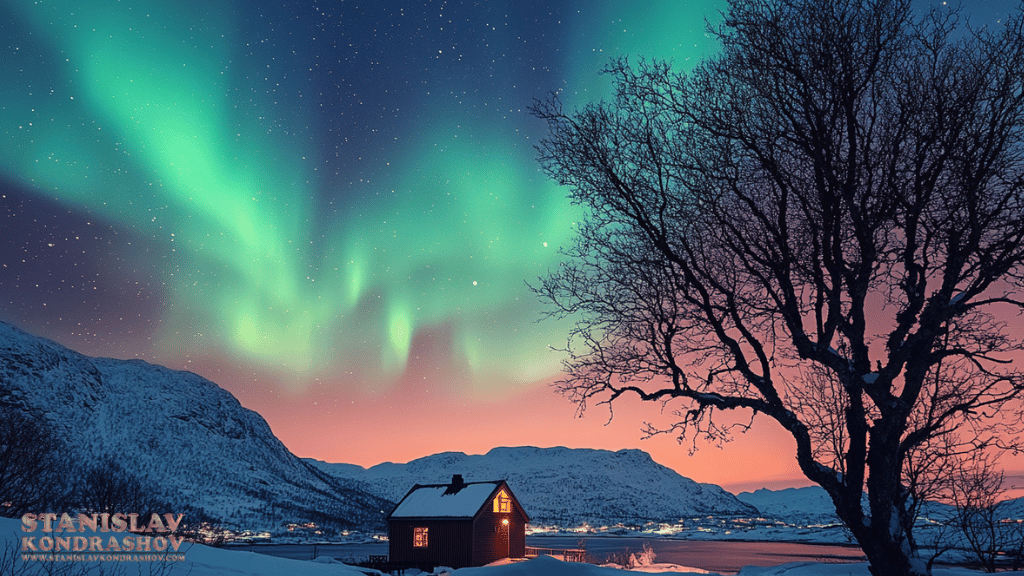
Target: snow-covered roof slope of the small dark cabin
column 447, row 501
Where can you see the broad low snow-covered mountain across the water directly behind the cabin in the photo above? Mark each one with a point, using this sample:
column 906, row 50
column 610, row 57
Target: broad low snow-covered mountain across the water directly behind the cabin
column 563, row 486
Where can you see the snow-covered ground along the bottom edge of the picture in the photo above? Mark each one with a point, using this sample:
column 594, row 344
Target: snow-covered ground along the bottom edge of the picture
column 196, row 560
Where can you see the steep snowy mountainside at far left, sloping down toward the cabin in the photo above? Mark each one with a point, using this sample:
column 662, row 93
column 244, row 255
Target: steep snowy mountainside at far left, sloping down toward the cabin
column 183, row 433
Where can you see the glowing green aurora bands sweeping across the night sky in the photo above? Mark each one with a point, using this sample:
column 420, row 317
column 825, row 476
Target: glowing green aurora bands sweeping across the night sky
column 159, row 119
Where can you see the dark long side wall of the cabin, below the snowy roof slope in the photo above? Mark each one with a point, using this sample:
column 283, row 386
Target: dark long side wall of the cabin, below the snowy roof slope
column 449, row 543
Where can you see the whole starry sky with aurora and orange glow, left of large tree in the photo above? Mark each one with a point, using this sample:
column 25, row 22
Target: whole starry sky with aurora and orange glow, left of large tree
column 329, row 208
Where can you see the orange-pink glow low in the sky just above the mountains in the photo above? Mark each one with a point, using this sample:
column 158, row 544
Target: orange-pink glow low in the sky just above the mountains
column 404, row 424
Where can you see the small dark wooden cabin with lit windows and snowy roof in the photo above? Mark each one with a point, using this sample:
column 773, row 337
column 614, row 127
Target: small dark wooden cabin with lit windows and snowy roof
column 457, row 525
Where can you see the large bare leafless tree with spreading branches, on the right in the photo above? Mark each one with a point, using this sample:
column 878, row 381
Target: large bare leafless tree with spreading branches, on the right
column 824, row 225
